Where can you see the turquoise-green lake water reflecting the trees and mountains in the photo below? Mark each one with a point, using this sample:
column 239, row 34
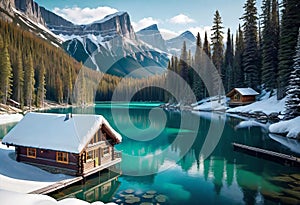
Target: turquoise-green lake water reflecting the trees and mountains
column 186, row 158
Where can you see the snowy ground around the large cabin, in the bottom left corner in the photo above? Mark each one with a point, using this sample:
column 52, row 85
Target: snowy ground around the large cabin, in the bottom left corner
column 19, row 179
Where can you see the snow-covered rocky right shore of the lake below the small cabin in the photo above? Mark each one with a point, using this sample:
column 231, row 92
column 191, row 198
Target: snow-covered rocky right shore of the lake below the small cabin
column 268, row 108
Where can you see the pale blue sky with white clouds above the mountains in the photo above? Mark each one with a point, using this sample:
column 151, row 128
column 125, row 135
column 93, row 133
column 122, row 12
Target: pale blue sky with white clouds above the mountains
column 172, row 16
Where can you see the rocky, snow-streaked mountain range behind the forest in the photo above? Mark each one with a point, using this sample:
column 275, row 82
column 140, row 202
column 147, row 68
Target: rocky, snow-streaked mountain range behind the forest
column 109, row 45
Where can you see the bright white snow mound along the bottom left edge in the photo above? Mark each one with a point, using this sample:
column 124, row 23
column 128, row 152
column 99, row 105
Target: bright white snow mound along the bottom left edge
column 9, row 197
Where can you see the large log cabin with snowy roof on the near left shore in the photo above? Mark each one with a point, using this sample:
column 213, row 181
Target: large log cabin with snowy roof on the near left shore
column 65, row 143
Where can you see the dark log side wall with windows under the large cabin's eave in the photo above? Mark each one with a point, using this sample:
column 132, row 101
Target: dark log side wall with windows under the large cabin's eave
column 46, row 159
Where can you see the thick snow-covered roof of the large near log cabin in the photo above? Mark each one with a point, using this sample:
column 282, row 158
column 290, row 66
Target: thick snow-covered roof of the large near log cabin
column 54, row 132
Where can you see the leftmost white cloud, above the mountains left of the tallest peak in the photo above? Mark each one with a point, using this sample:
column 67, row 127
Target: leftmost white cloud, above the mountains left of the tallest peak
column 84, row 15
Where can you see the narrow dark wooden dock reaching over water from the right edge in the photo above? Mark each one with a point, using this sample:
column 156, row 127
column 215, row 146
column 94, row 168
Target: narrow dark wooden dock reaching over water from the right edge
column 284, row 159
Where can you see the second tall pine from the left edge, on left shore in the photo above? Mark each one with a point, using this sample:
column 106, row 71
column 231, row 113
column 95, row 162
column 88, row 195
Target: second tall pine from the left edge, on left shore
column 18, row 80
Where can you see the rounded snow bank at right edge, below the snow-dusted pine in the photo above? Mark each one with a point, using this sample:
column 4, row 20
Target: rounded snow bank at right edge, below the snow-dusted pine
column 289, row 127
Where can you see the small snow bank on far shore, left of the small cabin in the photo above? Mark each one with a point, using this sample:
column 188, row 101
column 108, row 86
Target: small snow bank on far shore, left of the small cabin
column 211, row 104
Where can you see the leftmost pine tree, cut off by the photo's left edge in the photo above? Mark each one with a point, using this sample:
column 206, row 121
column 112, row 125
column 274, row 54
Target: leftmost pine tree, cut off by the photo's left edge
column 5, row 72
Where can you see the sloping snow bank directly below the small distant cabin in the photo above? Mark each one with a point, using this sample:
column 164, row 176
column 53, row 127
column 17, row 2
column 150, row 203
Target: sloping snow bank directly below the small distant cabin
column 266, row 106
